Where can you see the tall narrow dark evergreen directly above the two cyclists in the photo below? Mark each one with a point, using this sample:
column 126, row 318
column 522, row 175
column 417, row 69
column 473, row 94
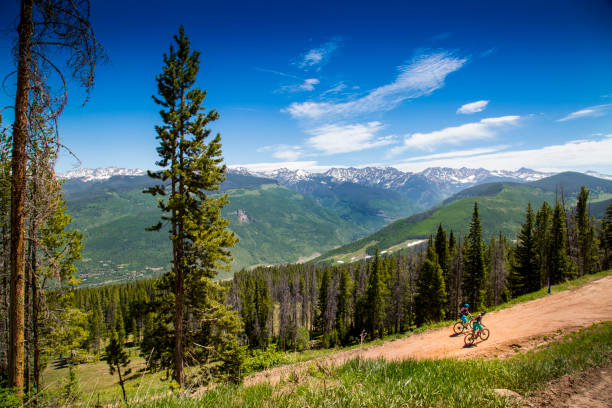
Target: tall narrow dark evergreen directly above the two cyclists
column 475, row 276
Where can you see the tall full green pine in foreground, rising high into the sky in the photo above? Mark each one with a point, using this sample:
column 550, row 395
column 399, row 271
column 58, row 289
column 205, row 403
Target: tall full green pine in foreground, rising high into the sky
column 193, row 169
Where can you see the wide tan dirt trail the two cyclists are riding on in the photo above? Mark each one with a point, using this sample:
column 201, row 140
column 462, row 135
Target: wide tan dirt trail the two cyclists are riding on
column 523, row 326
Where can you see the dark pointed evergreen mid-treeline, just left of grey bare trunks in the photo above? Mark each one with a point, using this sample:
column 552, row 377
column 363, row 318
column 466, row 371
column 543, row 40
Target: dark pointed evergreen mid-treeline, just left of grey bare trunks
column 375, row 298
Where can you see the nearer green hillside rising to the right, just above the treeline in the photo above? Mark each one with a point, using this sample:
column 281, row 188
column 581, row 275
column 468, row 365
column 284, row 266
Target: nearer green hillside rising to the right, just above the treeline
column 502, row 207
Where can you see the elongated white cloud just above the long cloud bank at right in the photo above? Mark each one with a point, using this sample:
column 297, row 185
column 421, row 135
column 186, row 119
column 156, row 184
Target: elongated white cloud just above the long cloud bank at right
column 484, row 129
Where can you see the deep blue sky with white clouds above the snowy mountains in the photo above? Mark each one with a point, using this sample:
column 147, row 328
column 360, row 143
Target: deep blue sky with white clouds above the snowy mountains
column 475, row 84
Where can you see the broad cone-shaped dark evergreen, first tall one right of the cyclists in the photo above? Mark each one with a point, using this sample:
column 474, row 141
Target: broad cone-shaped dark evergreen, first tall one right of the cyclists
column 525, row 275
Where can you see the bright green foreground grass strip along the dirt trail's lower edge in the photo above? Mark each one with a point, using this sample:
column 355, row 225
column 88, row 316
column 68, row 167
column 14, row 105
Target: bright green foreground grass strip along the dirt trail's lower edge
column 425, row 383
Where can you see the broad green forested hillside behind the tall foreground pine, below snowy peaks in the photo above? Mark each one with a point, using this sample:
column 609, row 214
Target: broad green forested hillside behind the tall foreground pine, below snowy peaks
column 113, row 215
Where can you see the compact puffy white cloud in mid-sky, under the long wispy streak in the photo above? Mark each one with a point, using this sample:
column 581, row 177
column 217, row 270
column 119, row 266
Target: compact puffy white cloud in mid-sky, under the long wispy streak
column 335, row 138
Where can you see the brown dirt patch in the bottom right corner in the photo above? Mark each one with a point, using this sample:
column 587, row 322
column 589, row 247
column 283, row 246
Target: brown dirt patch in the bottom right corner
column 586, row 389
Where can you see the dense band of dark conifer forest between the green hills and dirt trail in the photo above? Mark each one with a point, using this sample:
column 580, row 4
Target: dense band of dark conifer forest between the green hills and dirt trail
column 300, row 305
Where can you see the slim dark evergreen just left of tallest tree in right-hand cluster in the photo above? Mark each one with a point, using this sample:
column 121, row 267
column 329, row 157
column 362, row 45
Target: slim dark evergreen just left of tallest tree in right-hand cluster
column 559, row 263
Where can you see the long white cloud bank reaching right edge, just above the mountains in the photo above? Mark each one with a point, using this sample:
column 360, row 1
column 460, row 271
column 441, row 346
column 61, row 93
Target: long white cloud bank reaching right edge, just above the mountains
column 573, row 155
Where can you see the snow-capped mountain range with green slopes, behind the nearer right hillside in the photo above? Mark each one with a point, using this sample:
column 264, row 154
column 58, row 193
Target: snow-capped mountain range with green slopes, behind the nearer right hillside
column 282, row 216
